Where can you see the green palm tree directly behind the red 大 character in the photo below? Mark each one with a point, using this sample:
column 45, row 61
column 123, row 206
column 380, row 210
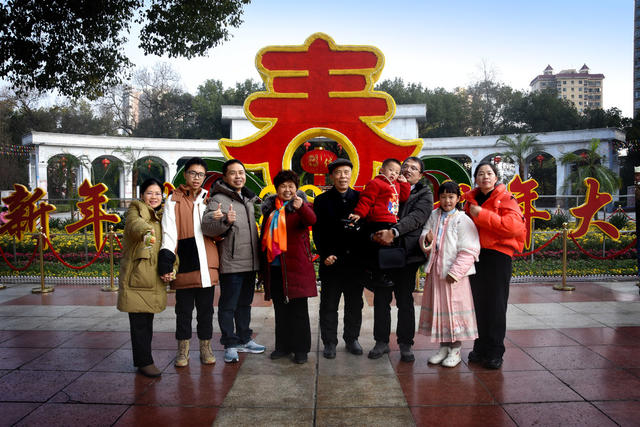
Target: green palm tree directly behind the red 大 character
column 589, row 164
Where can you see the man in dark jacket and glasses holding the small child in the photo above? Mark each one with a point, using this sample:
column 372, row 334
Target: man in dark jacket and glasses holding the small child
column 413, row 214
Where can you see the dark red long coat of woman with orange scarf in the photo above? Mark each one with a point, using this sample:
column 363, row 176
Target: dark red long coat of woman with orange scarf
column 298, row 274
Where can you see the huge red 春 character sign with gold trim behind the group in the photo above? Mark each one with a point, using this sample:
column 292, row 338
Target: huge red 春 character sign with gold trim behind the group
column 319, row 89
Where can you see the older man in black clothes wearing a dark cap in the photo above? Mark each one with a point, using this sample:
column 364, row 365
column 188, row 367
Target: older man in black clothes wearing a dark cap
column 336, row 241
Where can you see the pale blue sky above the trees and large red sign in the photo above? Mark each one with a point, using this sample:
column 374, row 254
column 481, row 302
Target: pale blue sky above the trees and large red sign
column 438, row 43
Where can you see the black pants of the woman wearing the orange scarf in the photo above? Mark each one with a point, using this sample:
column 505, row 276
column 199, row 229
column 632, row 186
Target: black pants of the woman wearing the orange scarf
column 293, row 329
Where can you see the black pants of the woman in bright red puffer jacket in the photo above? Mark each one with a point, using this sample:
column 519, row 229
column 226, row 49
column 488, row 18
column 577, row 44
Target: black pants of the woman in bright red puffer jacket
column 490, row 289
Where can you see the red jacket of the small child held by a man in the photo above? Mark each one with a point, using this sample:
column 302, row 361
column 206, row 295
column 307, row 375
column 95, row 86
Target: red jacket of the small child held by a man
column 380, row 200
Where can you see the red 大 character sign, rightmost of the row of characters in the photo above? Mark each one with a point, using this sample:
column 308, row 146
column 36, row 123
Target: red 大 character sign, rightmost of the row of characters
column 584, row 213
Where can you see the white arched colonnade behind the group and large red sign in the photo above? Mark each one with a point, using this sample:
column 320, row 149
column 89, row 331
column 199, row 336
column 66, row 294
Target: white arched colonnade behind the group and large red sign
column 403, row 126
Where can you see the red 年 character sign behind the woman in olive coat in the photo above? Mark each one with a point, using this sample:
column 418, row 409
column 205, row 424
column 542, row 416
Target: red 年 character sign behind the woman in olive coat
column 91, row 211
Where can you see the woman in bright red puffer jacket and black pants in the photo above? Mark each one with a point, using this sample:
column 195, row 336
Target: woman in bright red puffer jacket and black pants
column 501, row 228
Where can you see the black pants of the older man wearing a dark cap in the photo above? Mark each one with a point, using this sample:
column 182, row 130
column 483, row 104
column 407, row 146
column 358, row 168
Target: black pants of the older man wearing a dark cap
column 334, row 284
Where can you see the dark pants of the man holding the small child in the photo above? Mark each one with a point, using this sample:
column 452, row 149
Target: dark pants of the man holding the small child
column 404, row 284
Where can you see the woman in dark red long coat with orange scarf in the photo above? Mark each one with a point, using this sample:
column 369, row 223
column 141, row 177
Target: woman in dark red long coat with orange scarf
column 288, row 272
